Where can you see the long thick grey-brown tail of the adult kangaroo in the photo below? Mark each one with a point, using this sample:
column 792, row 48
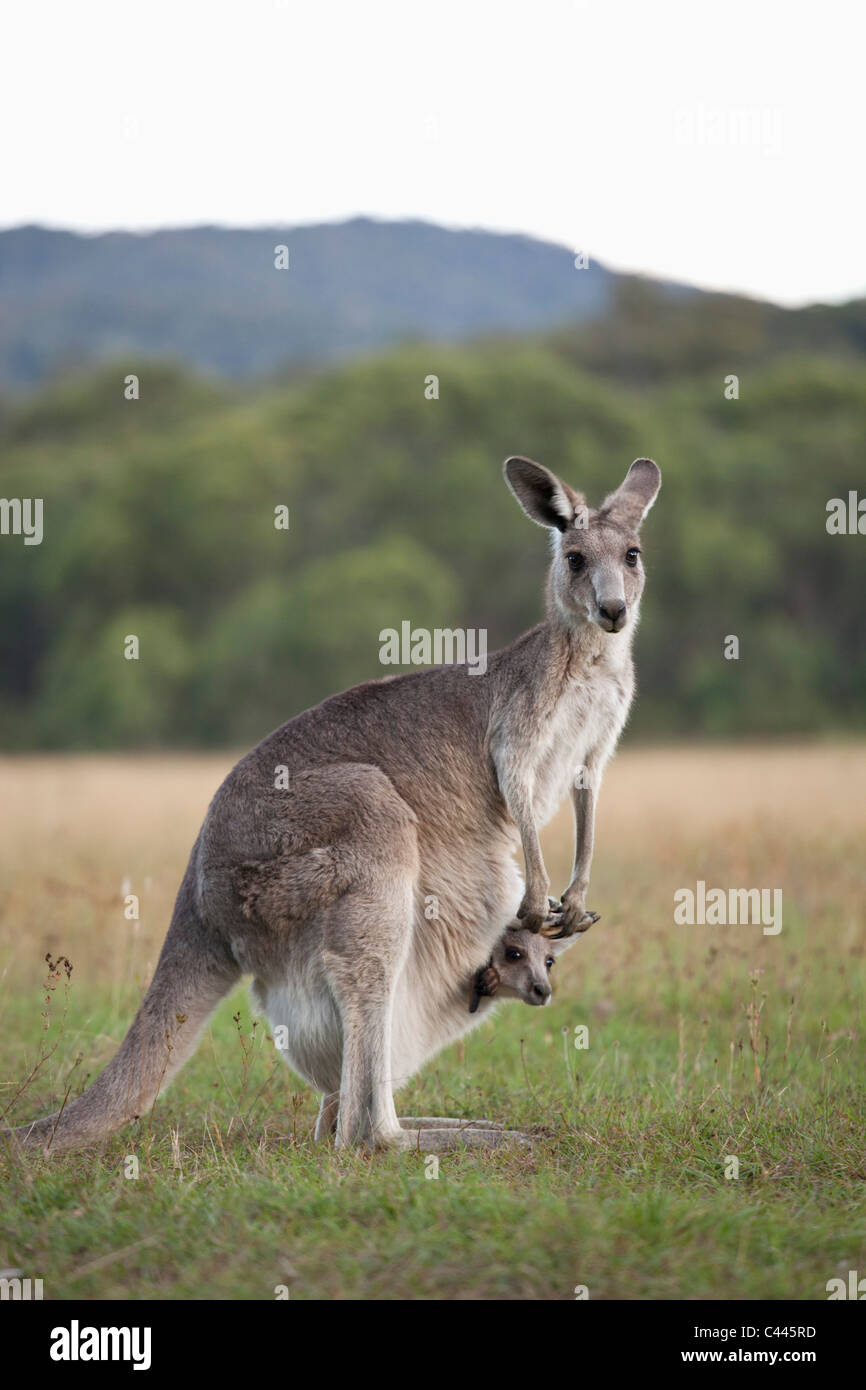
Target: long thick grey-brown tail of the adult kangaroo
column 195, row 971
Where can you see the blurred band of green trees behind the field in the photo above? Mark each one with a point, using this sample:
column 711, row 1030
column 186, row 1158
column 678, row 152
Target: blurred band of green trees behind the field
column 159, row 522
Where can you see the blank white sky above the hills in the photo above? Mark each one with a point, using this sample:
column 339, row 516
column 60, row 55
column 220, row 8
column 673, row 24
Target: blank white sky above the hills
column 714, row 144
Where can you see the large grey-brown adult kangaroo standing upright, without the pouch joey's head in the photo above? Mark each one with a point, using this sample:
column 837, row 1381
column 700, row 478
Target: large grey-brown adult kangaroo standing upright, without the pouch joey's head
column 361, row 861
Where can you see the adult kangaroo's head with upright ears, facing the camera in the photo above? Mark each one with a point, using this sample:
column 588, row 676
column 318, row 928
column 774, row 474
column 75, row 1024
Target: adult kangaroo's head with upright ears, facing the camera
column 597, row 573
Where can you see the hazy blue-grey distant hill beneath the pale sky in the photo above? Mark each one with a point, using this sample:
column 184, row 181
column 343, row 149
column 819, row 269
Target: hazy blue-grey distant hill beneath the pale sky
column 211, row 297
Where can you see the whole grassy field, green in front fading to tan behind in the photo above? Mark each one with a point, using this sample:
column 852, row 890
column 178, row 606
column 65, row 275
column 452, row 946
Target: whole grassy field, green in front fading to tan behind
column 705, row 1043
